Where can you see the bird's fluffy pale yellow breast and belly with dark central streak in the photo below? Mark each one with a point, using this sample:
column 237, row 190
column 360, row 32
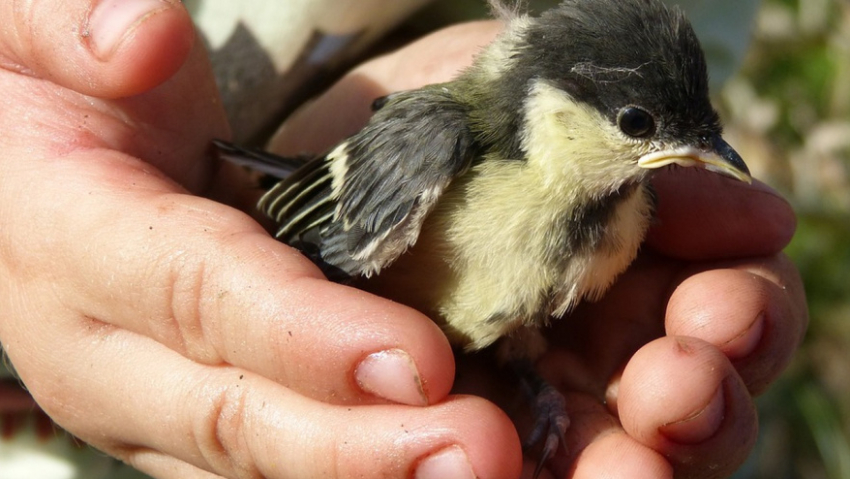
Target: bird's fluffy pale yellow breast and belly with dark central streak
column 495, row 255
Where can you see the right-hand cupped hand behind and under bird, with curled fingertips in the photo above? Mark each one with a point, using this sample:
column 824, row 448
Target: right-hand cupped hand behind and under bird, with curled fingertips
column 660, row 374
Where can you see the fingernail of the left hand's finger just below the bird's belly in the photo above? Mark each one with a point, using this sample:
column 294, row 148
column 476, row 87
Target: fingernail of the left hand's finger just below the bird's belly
column 391, row 375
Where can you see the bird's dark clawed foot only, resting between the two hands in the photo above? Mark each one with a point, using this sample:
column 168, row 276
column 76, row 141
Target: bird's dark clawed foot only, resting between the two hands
column 550, row 424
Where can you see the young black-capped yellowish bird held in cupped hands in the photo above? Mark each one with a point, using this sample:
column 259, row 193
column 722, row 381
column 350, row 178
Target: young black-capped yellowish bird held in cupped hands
column 498, row 201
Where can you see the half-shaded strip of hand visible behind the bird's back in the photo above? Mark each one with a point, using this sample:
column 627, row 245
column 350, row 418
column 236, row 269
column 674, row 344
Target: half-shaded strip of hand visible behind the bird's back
column 345, row 108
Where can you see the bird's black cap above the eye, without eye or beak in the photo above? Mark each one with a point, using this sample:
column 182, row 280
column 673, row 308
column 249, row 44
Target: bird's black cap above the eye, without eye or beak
column 614, row 53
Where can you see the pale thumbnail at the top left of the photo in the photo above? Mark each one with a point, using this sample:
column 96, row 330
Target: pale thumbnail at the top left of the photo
column 111, row 20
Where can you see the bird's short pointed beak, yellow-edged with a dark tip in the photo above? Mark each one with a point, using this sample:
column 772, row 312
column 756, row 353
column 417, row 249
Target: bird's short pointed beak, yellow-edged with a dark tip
column 719, row 157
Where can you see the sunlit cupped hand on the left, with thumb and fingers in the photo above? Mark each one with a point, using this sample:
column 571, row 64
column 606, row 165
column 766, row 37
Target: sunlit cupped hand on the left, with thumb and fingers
column 168, row 329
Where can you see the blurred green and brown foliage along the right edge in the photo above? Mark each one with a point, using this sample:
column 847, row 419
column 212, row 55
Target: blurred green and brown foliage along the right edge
column 788, row 112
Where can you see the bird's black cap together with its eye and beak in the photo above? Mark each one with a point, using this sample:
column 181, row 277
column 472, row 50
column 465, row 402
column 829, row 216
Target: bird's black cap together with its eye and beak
column 637, row 63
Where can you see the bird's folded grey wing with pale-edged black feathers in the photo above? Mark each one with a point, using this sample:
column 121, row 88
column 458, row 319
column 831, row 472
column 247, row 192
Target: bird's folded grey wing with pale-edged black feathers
column 359, row 207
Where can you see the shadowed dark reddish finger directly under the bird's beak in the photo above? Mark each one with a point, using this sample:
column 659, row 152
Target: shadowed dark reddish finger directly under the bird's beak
column 702, row 216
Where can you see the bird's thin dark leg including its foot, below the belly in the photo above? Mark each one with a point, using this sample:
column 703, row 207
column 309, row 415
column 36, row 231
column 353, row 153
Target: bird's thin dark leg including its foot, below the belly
column 547, row 403
